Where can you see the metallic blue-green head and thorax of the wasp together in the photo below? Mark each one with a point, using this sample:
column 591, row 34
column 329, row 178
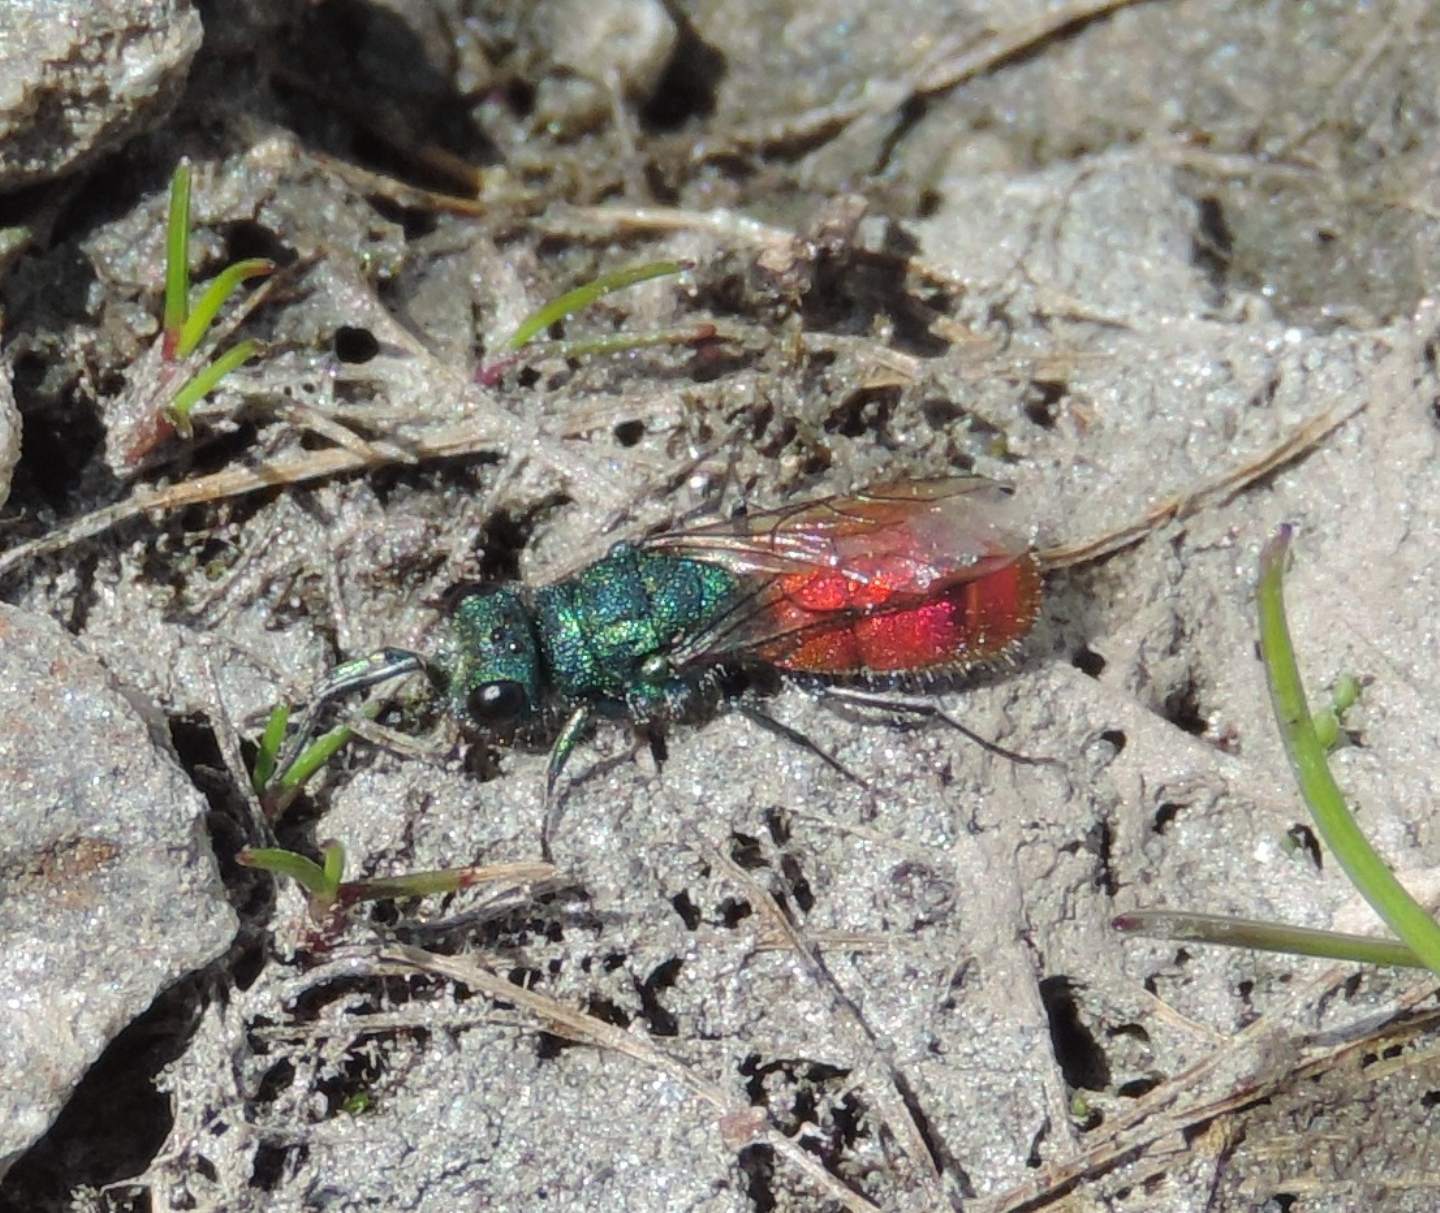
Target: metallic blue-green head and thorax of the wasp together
column 598, row 637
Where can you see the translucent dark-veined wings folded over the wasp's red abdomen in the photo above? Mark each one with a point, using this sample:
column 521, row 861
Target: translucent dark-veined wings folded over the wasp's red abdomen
column 819, row 567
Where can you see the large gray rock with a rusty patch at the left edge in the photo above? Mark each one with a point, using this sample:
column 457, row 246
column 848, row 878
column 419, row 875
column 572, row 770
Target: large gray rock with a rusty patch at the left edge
column 109, row 887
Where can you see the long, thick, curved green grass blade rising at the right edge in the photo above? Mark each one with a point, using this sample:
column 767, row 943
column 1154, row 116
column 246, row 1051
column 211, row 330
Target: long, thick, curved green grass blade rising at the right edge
column 1308, row 758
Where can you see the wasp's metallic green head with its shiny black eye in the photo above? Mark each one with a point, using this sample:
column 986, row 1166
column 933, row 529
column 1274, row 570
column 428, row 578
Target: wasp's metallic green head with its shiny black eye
column 487, row 665
